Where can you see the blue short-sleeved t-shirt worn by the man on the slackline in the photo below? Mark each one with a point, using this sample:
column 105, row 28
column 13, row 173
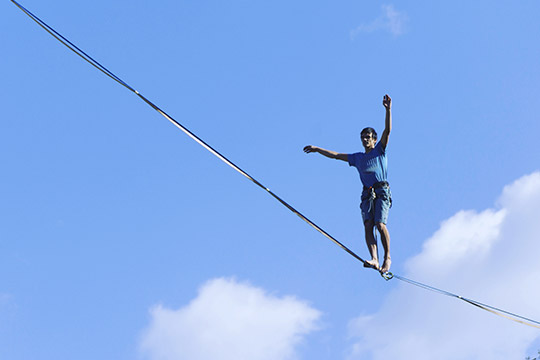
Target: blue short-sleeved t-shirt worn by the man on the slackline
column 372, row 166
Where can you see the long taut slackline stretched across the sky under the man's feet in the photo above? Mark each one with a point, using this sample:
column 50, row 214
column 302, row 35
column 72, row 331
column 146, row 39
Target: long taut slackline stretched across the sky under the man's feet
column 386, row 276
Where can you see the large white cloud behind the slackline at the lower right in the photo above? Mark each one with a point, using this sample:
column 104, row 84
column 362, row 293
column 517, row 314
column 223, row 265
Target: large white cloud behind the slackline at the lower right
column 490, row 256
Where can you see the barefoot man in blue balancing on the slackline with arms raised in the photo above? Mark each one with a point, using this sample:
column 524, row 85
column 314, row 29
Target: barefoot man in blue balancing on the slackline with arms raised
column 376, row 196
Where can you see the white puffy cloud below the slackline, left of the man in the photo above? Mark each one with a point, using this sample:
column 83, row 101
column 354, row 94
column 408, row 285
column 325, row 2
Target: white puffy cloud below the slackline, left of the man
column 229, row 320
